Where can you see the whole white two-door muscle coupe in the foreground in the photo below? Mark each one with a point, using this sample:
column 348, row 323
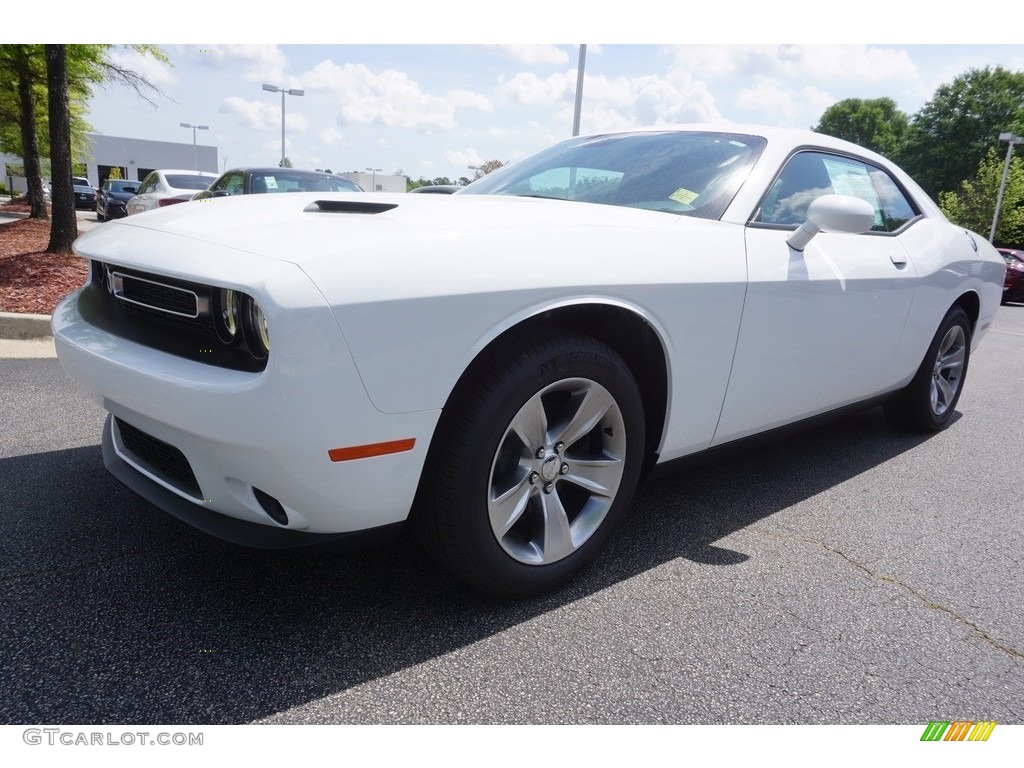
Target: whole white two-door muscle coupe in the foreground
column 500, row 367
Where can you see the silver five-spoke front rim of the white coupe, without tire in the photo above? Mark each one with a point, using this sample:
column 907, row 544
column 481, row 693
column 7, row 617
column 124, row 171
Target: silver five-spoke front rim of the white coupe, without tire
column 558, row 472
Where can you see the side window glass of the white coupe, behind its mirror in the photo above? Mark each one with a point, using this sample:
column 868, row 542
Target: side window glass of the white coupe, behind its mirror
column 810, row 175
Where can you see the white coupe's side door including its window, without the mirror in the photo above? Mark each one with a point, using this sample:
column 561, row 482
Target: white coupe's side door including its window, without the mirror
column 821, row 327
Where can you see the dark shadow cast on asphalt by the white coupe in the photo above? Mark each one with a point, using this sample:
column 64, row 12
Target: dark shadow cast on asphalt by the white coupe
column 117, row 613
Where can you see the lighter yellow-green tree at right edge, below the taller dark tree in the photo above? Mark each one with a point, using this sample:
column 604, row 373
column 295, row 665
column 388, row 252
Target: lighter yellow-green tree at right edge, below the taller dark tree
column 974, row 204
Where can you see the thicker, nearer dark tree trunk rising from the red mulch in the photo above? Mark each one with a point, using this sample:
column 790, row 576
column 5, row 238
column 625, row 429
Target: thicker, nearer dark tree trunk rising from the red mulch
column 65, row 227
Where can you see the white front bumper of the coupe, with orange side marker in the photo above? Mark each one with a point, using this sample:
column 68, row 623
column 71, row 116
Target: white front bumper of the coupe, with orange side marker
column 244, row 435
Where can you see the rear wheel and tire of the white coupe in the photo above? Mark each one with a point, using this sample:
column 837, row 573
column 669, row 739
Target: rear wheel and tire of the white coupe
column 927, row 404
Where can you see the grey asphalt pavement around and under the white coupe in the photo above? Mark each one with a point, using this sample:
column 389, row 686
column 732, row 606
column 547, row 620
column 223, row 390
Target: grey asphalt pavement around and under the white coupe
column 849, row 575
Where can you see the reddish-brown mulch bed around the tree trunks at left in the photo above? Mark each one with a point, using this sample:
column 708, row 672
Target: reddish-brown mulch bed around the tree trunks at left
column 31, row 280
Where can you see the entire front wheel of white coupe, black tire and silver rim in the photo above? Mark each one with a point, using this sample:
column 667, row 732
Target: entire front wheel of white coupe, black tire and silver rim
column 534, row 466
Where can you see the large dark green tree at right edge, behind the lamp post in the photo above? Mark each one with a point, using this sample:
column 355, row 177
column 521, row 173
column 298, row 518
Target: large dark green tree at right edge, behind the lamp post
column 949, row 139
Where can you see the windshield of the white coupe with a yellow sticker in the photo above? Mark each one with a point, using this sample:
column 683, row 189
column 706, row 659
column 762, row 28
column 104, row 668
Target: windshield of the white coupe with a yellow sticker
column 690, row 174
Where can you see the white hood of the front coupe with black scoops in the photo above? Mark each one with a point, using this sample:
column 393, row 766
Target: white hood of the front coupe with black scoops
column 305, row 228
